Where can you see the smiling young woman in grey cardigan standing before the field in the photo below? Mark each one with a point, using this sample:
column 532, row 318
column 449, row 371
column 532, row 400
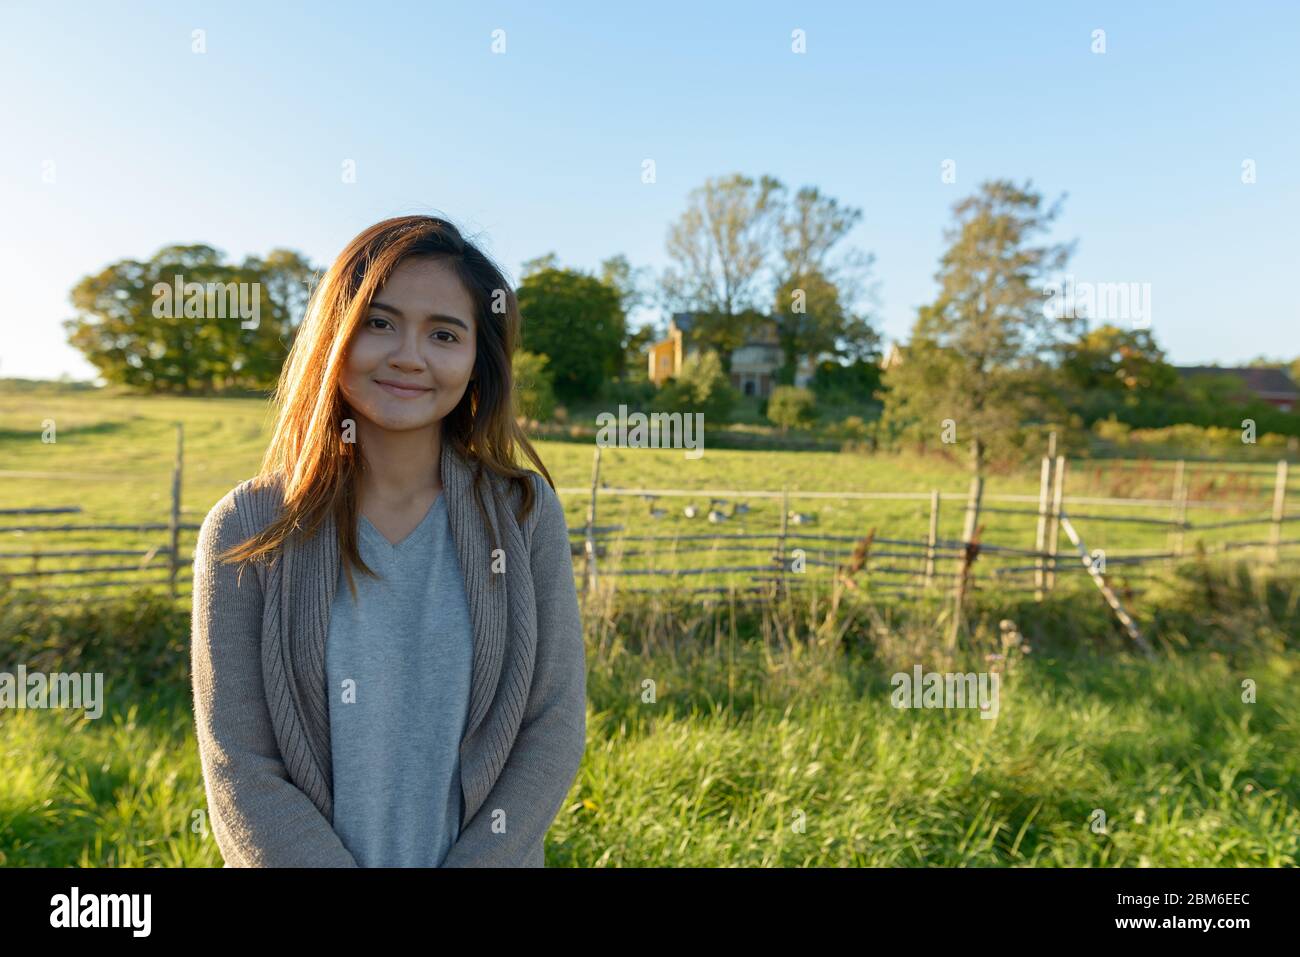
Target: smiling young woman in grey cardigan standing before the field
column 434, row 713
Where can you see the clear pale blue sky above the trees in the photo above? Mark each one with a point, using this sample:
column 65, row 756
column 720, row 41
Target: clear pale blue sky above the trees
column 540, row 149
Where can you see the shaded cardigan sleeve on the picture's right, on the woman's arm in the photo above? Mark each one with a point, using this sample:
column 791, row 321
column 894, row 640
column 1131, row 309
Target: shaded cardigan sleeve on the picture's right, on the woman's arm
column 548, row 751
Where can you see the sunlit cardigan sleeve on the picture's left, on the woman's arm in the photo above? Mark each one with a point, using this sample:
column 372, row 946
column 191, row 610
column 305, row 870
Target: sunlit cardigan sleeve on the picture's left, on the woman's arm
column 259, row 817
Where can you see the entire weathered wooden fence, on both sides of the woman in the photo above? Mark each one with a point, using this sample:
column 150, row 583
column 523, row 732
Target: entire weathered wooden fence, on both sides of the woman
column 892, row 566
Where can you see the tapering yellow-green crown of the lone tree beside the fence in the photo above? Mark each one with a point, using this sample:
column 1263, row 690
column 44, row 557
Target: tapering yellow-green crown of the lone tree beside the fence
column 978, row 361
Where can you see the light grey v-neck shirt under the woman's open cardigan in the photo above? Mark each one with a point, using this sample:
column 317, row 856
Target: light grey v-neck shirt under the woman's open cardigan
column 398, row 662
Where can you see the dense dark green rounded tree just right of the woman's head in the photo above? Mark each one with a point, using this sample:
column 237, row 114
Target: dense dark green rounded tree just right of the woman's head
column 577, row 322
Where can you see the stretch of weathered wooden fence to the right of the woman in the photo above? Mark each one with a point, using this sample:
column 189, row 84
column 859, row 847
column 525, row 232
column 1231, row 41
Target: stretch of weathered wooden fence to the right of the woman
column 916, row 568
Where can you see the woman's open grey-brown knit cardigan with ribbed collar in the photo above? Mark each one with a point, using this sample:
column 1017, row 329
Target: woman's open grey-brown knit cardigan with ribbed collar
column 258, row 662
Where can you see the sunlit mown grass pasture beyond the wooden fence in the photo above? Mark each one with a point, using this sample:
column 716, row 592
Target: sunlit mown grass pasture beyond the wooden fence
column 114, row 458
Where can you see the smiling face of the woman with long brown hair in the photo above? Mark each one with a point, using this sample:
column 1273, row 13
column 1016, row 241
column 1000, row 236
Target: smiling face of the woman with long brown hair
column 419, row 332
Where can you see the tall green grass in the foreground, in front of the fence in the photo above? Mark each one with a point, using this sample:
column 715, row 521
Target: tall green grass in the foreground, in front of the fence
column 731, row 734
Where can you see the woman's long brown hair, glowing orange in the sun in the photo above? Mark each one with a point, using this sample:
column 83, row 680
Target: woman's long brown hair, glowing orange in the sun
column 307, row 454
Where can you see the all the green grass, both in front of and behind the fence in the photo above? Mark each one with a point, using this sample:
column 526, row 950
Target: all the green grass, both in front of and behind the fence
column 772, row 741
